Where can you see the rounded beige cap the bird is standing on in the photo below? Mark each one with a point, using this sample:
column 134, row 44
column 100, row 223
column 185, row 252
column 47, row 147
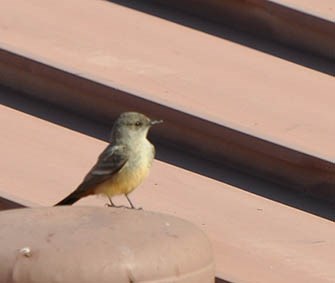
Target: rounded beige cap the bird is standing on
column 89, row 244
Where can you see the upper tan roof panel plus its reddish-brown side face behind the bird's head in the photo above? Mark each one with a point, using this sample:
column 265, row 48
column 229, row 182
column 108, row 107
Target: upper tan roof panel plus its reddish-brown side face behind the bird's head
column 253, row 121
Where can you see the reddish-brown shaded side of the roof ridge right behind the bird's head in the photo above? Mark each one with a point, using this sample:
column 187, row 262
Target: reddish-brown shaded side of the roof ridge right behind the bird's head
column 185, row 132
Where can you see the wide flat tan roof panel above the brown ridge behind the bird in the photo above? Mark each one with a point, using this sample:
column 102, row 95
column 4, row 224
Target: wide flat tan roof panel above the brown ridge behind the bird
column 206, row 75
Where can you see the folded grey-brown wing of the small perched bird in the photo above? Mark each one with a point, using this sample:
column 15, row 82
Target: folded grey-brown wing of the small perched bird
column 110, row 161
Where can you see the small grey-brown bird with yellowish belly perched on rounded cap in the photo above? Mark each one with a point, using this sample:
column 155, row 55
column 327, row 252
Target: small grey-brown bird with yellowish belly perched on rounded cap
column 123, row 165
